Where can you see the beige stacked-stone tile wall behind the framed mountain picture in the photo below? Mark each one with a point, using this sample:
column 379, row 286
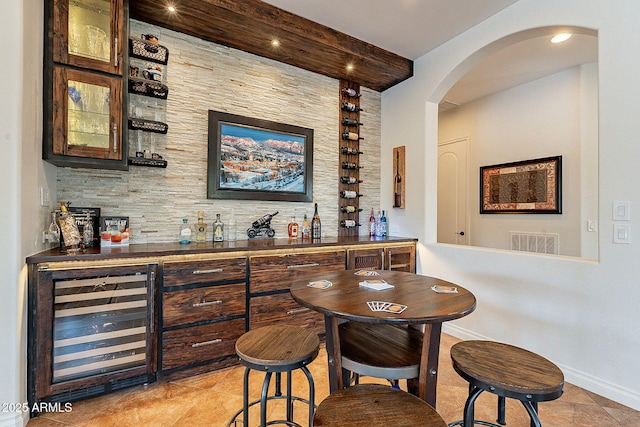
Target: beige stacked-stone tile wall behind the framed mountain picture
column 205, row 76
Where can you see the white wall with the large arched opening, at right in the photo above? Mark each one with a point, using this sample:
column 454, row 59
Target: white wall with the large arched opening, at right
column 580, row 314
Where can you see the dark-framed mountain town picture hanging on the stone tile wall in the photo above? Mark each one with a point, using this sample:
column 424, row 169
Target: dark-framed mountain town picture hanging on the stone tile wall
column 257, row 159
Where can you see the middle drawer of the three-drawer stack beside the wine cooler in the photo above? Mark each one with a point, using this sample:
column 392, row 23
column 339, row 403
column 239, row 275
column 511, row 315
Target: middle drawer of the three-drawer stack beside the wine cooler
column 208, row 303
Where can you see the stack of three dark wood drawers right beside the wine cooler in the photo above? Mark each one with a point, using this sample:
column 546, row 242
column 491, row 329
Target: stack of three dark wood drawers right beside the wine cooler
column 203, row 313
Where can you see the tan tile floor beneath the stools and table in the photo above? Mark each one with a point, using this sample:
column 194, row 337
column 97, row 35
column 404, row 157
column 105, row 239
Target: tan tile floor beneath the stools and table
column 211, row 399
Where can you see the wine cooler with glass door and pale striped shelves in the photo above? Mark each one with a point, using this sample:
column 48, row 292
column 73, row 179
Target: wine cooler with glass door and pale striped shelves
column 100, row 335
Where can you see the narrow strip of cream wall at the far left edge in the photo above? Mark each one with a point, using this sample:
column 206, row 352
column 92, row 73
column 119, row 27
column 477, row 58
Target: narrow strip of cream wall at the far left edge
column 21, row 172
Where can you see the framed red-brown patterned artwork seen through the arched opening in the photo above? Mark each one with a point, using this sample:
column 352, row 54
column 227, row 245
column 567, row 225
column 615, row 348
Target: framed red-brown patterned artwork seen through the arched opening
column 530, row 186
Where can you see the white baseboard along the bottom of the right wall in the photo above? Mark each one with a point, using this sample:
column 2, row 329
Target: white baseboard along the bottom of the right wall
column 622, row 395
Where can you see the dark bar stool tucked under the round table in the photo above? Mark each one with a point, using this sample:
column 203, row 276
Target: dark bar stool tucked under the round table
column 380, row 350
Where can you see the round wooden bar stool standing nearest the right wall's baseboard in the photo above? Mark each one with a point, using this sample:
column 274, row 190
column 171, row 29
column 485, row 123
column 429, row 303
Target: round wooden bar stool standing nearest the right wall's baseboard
column 506, row 371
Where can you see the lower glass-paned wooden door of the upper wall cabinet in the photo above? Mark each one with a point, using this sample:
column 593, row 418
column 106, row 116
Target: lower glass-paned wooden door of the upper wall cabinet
column 87, row 117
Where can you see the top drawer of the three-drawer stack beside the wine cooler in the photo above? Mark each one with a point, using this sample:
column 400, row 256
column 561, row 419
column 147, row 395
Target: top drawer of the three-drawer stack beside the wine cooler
column 189, row 272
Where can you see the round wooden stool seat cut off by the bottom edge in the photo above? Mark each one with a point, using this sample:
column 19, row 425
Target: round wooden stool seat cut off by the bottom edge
column 368, row 405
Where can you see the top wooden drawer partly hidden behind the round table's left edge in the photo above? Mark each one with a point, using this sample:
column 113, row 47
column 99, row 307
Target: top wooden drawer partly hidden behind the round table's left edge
column 269, row 273
